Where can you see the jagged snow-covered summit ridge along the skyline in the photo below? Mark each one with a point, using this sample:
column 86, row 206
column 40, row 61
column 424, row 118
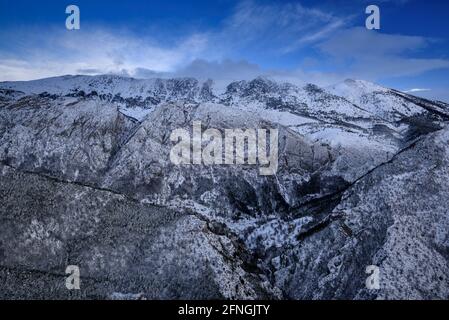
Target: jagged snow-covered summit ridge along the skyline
column 157, row 90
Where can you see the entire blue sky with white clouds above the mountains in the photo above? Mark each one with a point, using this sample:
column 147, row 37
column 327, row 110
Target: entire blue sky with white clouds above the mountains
column 323, row 42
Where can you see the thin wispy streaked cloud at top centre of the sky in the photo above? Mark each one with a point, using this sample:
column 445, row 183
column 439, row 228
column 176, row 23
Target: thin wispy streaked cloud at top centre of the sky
column 283, row 27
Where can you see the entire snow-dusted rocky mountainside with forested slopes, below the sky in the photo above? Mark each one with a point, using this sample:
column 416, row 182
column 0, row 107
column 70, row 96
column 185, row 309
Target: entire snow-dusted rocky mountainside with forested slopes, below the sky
column 86, row 180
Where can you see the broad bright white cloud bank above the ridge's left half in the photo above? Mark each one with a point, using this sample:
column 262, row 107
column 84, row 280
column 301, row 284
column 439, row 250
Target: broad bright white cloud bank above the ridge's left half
column 97, row 50
